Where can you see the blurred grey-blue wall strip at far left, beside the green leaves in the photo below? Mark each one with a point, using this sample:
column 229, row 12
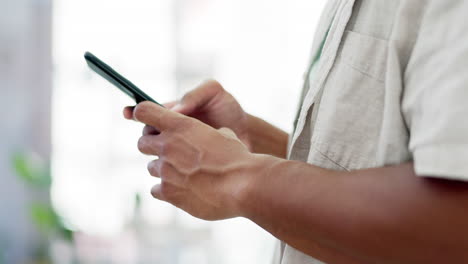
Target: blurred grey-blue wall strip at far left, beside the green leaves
column 25, row 85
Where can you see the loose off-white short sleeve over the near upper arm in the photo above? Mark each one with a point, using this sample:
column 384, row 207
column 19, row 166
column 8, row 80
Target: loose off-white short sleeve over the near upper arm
column 435, row 97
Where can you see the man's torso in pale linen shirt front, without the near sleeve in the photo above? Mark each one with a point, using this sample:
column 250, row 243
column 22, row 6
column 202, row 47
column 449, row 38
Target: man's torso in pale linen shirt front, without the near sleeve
column 351, row 109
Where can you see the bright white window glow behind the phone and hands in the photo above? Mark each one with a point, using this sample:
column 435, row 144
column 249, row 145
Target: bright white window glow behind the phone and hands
column 257, row 49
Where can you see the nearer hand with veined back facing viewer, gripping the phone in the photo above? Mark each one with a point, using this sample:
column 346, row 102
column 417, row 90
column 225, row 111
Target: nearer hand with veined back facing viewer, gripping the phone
column 202, row 169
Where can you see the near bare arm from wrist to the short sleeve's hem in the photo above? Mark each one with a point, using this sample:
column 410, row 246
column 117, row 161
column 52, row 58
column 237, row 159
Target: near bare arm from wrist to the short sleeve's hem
column 386, row 215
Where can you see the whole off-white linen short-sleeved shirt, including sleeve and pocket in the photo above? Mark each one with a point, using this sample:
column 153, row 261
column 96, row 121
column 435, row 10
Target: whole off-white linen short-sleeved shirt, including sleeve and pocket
column 391, row 87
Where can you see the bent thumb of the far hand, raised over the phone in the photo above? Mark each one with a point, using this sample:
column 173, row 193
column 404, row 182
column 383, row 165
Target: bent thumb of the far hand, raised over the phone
column 198, row 97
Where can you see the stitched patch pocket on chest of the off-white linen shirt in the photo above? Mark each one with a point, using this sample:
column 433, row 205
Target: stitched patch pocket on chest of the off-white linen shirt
column 348, row 123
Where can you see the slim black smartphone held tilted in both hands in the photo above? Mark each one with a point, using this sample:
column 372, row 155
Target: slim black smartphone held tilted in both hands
column 116, row 79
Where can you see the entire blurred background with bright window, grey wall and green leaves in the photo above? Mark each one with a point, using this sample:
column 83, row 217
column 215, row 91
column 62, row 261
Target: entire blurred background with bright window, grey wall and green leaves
column 74, row 188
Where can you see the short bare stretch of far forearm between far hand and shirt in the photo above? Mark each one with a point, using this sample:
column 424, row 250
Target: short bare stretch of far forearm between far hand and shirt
column 265, row 138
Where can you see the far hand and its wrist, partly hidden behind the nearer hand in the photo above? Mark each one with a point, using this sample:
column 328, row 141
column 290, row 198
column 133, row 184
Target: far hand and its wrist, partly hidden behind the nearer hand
column 212, row 105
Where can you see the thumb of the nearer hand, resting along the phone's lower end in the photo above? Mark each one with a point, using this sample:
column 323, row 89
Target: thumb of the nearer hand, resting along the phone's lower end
column 159, row 117
